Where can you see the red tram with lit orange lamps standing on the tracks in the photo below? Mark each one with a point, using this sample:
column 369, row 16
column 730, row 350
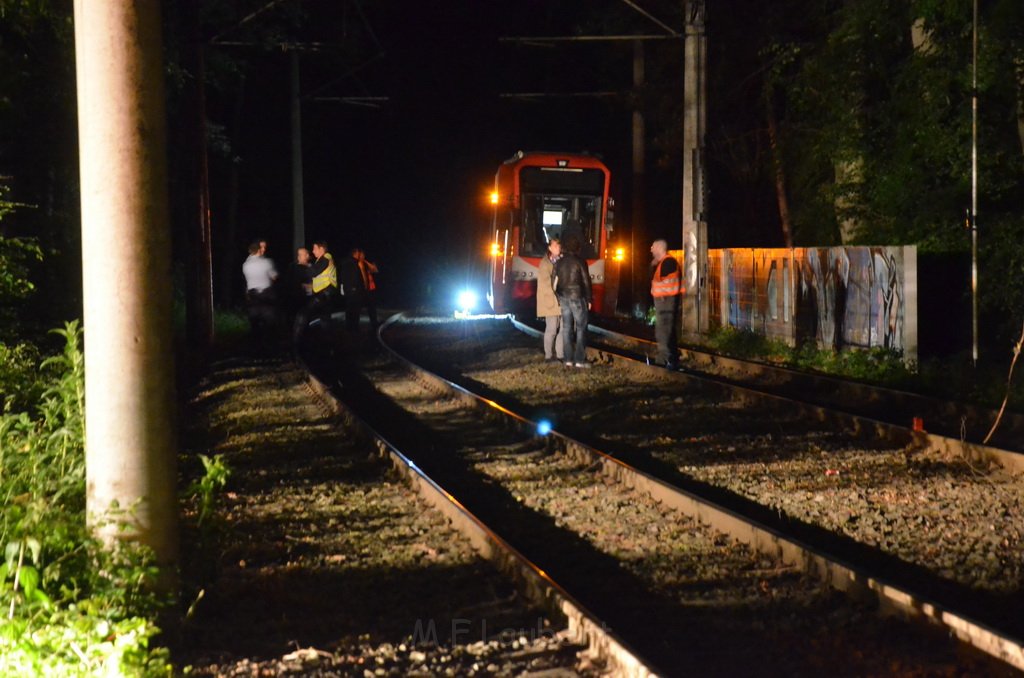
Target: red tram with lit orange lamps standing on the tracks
column 540, row 196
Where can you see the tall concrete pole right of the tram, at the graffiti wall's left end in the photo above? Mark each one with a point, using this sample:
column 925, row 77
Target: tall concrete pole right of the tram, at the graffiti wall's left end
column 695, row 303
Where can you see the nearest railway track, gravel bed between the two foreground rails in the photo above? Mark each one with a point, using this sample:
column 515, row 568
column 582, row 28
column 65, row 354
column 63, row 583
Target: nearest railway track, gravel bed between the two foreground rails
column 662, row 568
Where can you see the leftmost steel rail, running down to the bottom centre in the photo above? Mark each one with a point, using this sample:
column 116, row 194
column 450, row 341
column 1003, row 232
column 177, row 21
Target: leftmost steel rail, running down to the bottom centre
column 584, row 626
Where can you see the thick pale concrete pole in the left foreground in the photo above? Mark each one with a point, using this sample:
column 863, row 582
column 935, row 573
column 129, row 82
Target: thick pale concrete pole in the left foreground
column 126, row 252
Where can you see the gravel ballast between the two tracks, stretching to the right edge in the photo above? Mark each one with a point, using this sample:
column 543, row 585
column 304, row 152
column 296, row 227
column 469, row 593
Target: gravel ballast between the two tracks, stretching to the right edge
column 961, row 522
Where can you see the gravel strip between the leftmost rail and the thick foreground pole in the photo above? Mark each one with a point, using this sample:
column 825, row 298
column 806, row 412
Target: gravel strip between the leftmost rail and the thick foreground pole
column 323, row 563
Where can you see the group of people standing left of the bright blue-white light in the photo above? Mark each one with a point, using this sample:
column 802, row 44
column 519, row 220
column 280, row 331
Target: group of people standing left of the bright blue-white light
column 316, row 288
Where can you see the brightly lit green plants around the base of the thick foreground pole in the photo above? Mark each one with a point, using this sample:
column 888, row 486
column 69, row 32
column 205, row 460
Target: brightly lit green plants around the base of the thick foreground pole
column 71, row 607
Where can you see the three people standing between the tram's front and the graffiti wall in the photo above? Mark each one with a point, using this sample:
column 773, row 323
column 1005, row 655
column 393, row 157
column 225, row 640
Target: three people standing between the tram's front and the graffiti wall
column 565, row 299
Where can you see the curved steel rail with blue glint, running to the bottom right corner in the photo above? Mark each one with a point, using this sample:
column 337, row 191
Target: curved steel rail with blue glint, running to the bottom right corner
column 835, row 571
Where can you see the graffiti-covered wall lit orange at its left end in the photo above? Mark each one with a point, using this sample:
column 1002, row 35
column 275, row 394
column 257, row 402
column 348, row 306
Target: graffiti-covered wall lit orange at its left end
column 835, row 296
